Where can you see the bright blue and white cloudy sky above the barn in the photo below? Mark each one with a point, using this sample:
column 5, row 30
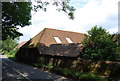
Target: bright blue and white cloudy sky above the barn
column 88, row 13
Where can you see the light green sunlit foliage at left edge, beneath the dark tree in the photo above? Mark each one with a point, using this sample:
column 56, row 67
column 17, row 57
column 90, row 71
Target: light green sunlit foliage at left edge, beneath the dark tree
column 9, row 44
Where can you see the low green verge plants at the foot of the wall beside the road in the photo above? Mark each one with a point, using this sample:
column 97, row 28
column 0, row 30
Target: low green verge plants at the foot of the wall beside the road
column 77, row 75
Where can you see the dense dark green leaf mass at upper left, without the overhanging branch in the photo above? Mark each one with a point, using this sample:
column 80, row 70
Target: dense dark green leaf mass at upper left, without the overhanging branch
column 14, row 14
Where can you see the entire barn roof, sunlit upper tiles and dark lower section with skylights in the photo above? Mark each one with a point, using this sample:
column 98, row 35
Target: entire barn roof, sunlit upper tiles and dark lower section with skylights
column 57, row 42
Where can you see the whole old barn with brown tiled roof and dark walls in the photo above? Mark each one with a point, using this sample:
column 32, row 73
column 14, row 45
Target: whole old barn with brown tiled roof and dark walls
column 51, row 43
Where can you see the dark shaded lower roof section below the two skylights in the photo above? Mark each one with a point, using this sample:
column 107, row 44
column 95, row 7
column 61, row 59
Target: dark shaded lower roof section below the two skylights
column 67, row 50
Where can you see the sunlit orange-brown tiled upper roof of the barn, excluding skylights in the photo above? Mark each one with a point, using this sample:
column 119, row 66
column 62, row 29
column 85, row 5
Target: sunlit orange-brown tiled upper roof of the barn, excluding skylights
column 47, row 37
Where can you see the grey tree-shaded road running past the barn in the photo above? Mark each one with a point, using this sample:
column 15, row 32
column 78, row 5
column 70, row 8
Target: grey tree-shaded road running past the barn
column 13, row 71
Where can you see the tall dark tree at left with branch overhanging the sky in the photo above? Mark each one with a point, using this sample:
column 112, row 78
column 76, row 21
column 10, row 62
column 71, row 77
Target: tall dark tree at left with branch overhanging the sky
column 18, row 14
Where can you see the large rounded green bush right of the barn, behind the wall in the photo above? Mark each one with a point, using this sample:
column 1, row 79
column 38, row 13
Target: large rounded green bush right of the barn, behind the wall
column 99, row 45
